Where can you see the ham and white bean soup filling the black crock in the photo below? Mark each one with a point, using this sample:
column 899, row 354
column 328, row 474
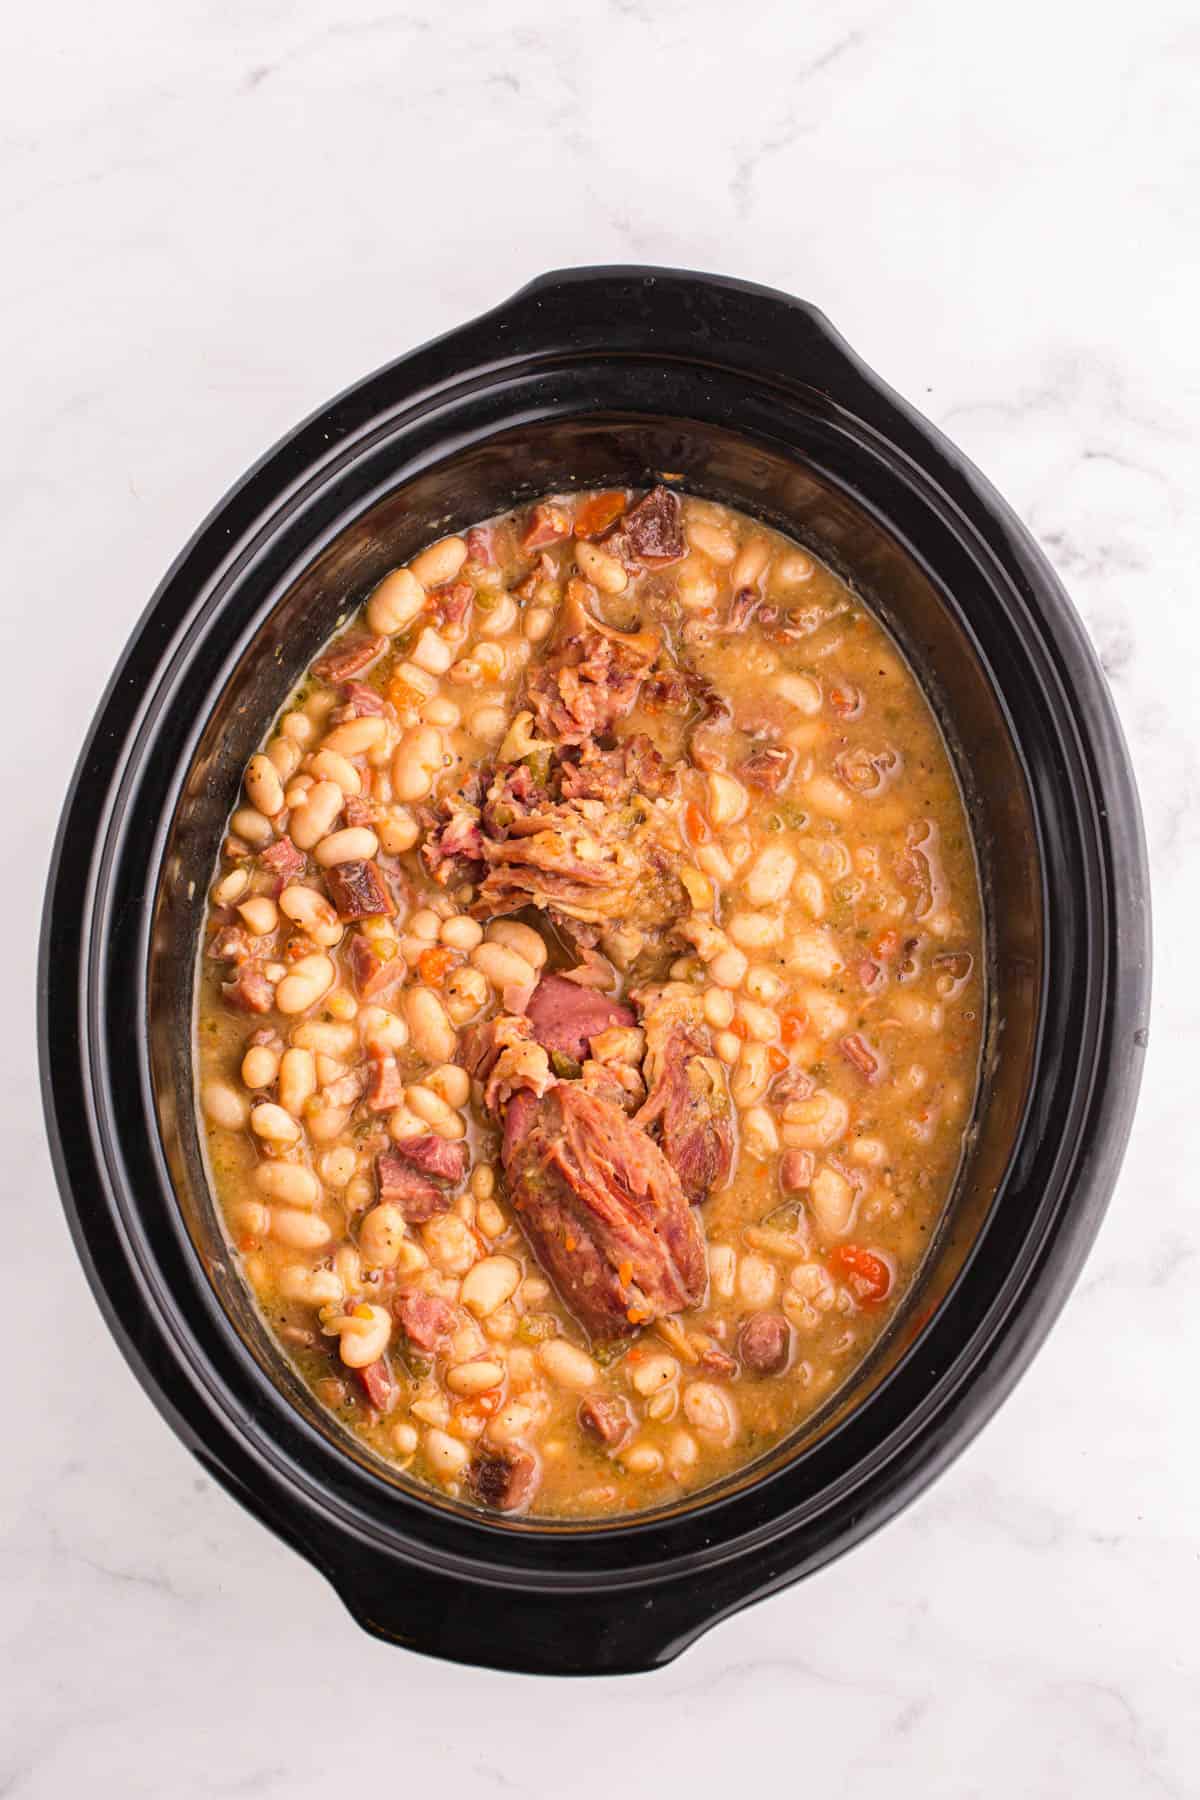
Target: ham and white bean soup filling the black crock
column 591, row 1005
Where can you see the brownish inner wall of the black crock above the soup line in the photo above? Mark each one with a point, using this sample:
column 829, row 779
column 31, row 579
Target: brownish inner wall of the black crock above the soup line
column 823, row 514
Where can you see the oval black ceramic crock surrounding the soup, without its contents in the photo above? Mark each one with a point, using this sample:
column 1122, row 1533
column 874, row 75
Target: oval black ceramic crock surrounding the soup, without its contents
column 598, row 377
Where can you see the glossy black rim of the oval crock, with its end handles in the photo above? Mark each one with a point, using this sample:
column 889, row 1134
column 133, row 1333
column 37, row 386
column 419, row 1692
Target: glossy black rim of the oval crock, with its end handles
column 638, row 1592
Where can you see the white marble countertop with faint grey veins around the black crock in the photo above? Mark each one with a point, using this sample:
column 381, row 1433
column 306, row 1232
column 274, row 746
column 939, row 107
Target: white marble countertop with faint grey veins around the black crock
column 219, row 215
